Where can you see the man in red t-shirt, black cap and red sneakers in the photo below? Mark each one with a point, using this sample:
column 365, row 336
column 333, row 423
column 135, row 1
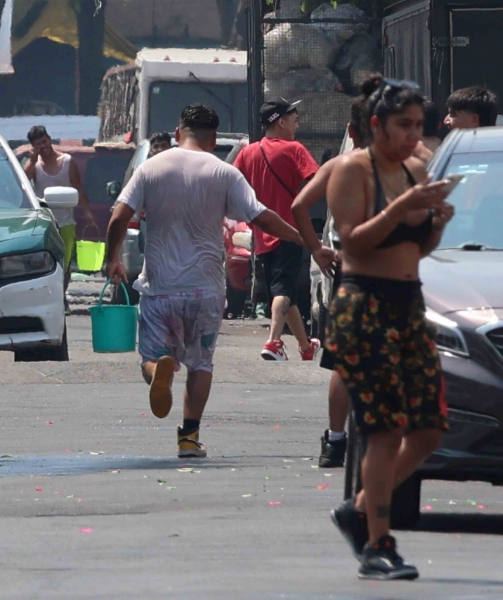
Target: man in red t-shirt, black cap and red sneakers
column 276, row 167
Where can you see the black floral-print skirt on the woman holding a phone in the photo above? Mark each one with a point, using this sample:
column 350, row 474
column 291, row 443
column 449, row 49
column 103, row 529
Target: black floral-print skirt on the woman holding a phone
column 385, row 352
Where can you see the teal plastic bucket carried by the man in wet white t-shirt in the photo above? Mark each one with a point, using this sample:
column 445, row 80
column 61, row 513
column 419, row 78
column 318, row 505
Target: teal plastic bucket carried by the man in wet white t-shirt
column 113, row 325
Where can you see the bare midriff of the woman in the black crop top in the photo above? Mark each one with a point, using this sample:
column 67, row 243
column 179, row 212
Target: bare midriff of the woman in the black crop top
column 398, row 262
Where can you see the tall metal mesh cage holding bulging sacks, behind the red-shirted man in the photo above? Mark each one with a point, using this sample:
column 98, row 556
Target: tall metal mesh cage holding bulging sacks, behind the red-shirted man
column 321, row 59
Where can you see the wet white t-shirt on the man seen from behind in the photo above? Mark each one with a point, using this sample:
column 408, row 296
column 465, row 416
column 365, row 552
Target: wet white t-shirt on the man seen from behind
column 186, row 195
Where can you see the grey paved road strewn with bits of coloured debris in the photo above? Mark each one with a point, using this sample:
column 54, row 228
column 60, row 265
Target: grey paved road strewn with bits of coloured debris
column 96, row 506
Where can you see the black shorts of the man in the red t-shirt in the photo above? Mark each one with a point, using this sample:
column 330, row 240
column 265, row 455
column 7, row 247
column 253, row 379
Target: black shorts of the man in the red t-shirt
column 281, row 270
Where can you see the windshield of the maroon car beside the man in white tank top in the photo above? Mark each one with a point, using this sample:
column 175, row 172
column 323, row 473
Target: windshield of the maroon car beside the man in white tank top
column 100, row 170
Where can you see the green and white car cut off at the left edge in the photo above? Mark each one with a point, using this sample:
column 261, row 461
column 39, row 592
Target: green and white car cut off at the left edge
column 32, row 313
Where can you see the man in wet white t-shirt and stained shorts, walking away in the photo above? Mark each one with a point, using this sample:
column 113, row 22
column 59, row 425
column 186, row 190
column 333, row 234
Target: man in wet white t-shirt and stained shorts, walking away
column 186, row 193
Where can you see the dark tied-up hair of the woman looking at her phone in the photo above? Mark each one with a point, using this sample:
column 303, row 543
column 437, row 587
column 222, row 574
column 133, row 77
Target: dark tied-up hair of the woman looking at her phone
column 392, row 98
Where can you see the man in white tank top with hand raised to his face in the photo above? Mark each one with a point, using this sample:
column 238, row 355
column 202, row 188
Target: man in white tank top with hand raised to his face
column 47, row 168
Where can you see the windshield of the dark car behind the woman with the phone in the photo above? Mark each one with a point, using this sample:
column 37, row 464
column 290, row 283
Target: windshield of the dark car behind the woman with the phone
column 478, row 201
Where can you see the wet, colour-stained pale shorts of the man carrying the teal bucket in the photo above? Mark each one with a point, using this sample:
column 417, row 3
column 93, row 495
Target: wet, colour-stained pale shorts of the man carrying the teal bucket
column 184, row 326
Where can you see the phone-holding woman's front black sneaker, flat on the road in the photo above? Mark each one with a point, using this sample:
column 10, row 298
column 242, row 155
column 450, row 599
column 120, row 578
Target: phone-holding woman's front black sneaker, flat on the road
column 382, row 561
